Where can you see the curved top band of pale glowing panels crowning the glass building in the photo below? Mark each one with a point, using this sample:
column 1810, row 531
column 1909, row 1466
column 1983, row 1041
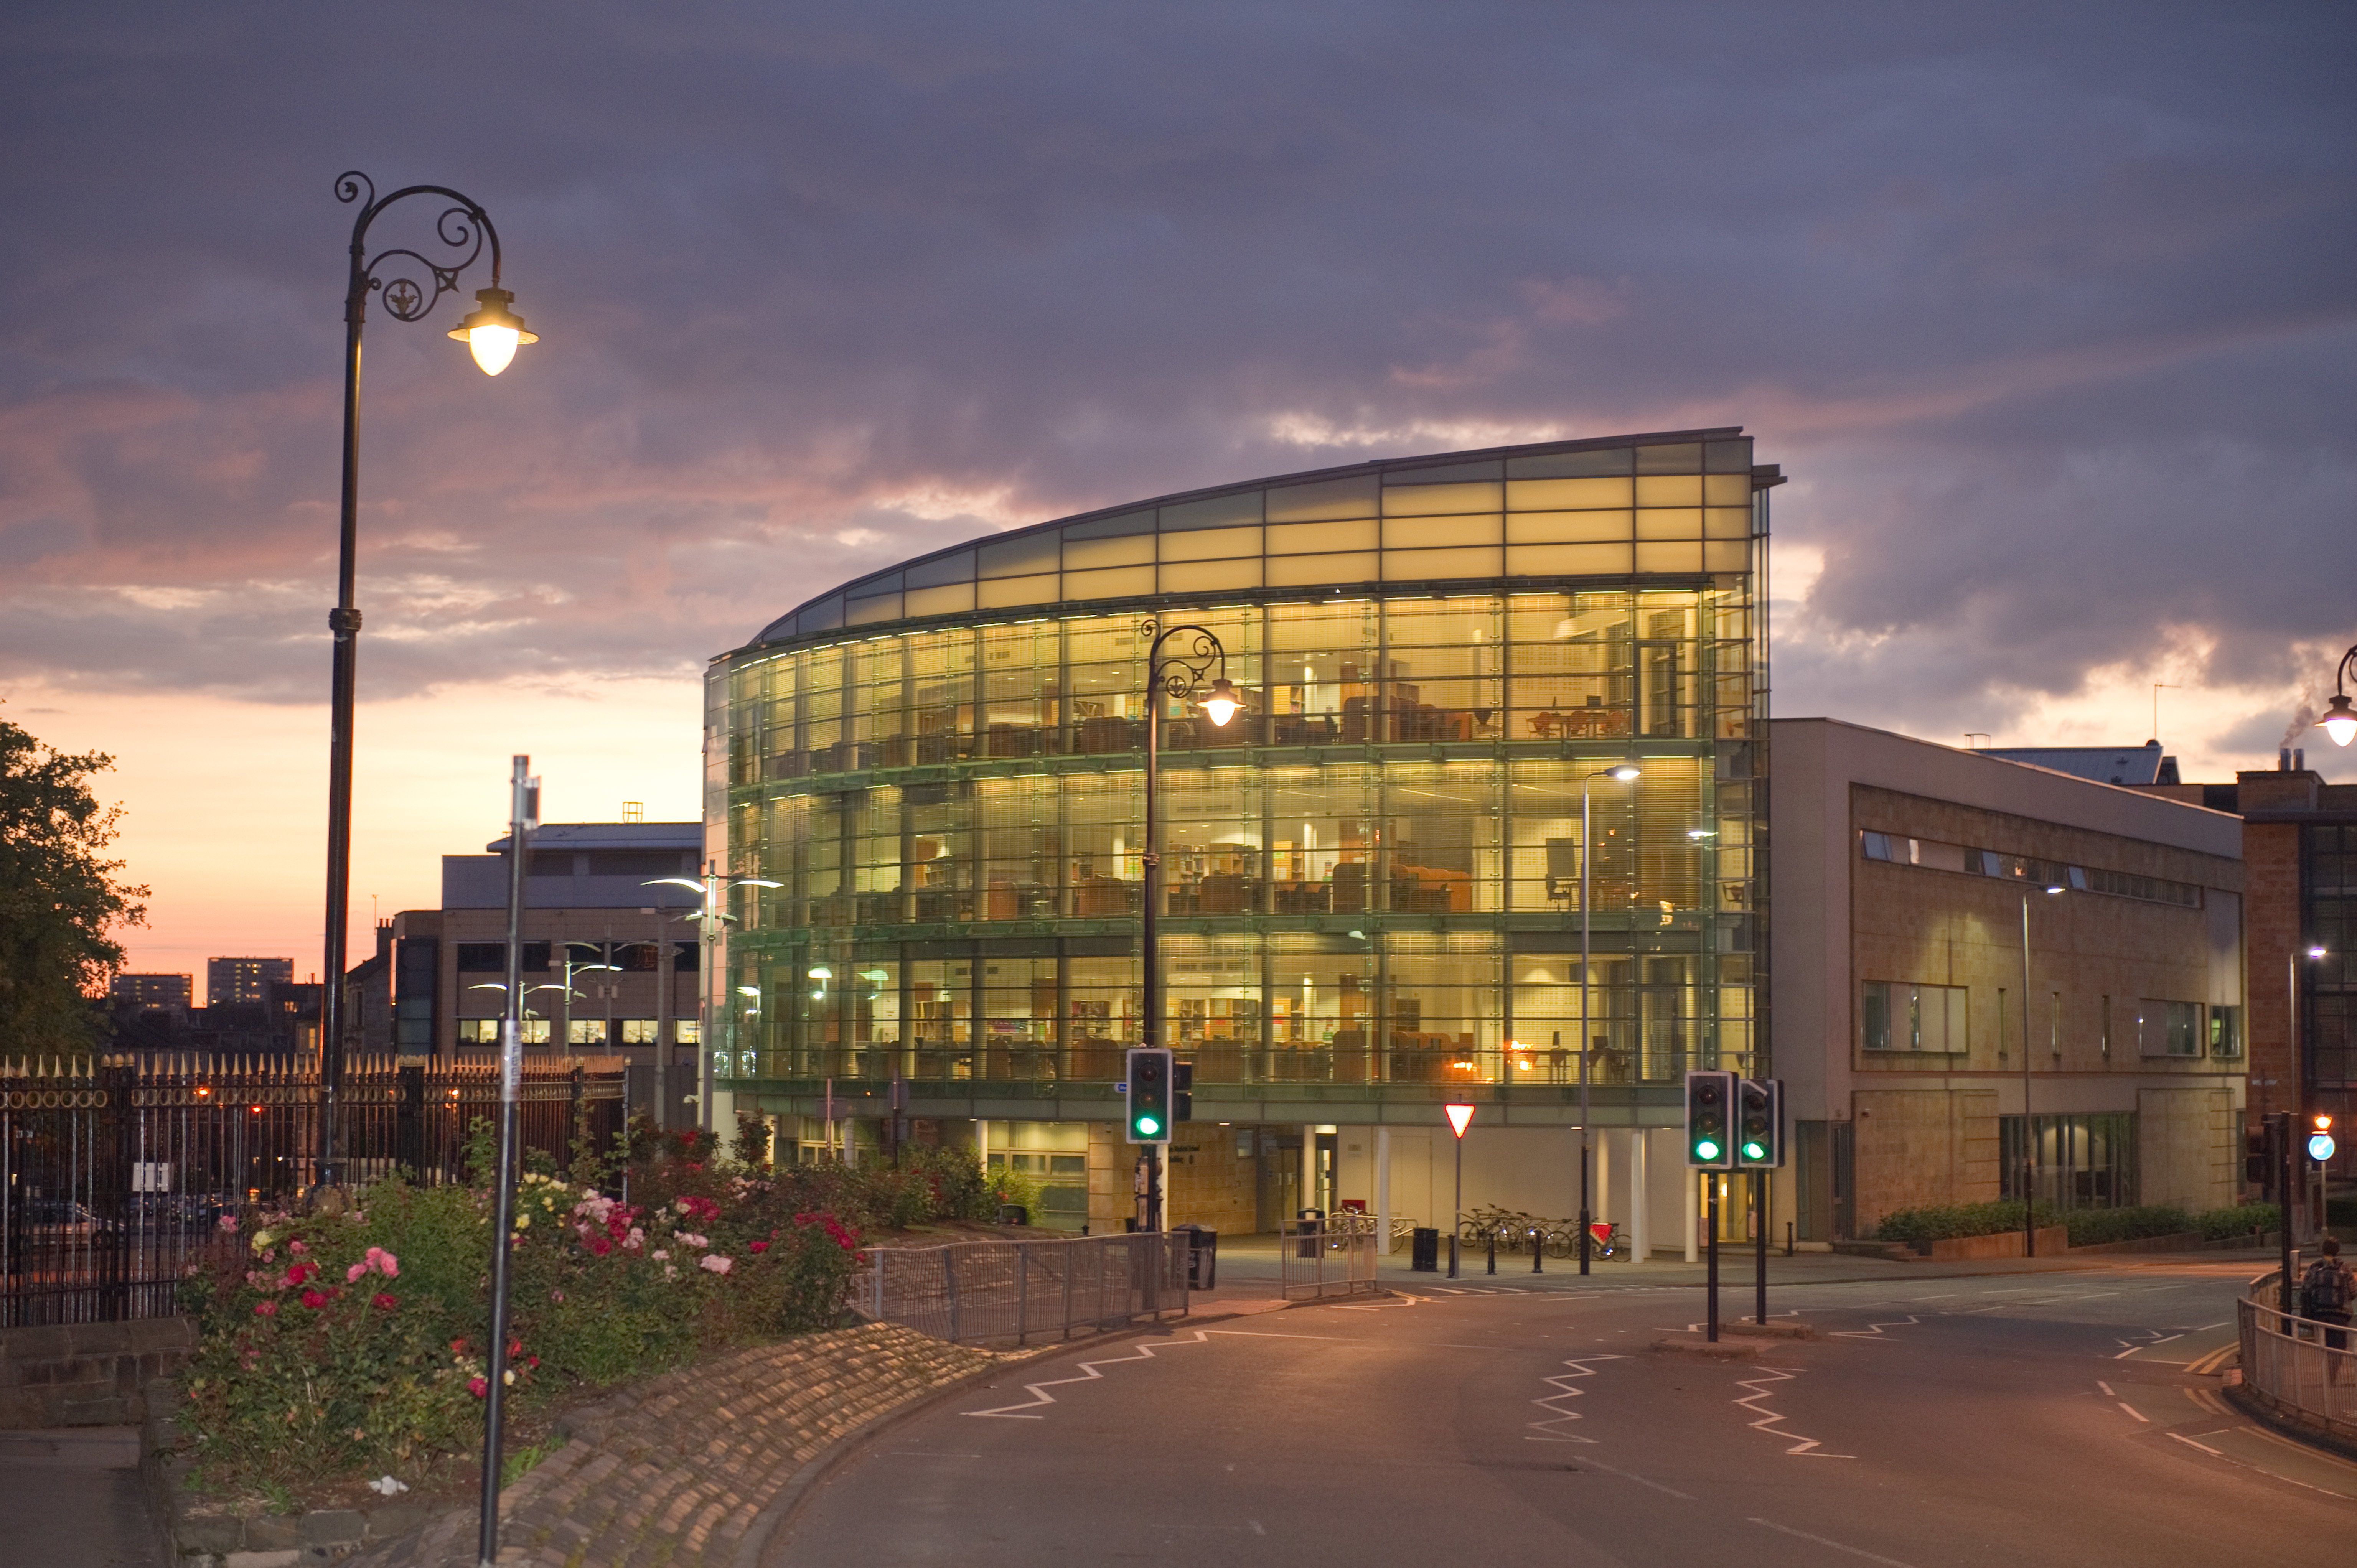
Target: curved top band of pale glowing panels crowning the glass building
column 1425, row 520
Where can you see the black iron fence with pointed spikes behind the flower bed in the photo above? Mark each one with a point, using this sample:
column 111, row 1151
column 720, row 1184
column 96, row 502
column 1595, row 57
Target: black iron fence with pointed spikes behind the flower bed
column 117, row 1175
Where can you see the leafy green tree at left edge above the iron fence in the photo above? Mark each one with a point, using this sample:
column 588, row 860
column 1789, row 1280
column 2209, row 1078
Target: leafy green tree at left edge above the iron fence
column 60, row 897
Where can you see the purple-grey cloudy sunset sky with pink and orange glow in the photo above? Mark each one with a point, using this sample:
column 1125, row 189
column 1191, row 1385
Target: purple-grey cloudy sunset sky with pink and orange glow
column 2047, row 310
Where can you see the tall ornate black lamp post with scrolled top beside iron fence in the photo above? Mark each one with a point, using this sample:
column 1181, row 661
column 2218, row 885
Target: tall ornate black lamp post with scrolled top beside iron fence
column 411, row 284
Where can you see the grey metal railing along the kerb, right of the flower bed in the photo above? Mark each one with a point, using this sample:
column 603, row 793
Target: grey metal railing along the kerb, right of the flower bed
column 1022, row 1291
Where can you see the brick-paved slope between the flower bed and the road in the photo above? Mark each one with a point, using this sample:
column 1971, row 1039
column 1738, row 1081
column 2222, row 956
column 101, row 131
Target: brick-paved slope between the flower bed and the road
column 678, row 1473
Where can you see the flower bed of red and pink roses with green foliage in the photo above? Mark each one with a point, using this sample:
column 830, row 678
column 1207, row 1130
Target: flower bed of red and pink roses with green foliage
column 350, row 1345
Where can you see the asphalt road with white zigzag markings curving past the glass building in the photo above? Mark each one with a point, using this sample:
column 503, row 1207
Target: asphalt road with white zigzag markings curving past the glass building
column 2028, row 1418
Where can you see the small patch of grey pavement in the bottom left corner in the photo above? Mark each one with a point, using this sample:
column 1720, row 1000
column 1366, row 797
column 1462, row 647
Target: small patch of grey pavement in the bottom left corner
column 70, row 1498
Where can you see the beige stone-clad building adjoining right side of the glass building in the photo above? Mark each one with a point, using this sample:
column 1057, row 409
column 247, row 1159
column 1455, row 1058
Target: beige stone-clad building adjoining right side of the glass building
column 1908, row 1013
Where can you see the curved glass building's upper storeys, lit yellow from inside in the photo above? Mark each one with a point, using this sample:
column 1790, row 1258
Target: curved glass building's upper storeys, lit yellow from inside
column 1371, row 876
